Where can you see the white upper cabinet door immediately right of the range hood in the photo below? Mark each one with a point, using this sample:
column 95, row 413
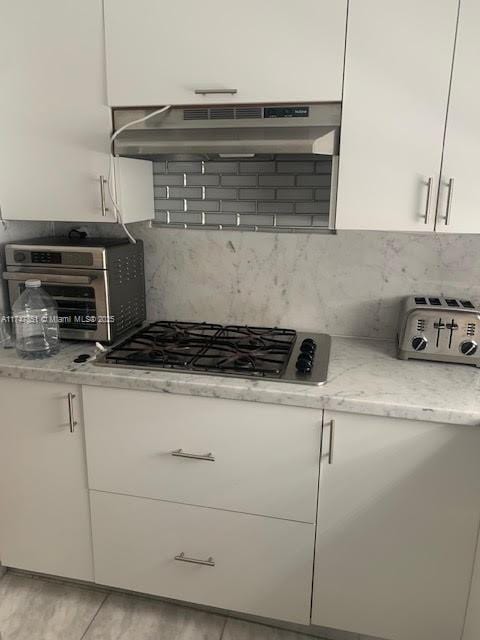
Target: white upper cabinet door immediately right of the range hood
column 397, row 74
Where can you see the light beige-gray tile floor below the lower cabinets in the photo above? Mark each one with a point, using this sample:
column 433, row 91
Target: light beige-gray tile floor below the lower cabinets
column 34, row 608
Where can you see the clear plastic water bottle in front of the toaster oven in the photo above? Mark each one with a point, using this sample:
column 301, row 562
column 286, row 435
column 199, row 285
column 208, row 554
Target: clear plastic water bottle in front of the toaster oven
column 37, row 333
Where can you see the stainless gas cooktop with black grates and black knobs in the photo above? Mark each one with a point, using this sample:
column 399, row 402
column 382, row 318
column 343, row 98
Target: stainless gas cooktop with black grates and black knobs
column 267, row 353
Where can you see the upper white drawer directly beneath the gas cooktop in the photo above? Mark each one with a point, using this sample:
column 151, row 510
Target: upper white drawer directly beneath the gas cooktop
column 254, row 458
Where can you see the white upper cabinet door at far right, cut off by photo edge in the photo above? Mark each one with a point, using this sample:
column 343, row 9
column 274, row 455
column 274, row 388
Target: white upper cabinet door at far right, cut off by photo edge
column 460, row 186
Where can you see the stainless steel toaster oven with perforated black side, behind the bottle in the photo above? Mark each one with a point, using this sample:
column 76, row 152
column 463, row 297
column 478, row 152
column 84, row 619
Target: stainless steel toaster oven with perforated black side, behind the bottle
column 98, row 284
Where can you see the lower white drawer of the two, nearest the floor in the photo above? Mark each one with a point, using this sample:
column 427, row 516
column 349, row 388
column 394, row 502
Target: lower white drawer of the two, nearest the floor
column 262, row 566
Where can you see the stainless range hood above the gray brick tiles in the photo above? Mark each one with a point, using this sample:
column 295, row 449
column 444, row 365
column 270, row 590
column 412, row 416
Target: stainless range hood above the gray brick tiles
column 230, row 130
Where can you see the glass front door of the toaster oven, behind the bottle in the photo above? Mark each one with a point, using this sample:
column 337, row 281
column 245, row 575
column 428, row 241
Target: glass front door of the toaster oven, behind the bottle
column 81, row 297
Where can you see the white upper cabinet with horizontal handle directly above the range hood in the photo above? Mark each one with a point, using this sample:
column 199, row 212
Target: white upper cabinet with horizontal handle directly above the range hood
column 266, row 51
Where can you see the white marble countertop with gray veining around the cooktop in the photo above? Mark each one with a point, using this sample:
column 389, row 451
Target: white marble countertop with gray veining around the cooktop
column 364, row 377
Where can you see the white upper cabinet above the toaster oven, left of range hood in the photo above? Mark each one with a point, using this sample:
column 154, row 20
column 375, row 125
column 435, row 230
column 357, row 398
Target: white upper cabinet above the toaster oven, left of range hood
column 54, row 119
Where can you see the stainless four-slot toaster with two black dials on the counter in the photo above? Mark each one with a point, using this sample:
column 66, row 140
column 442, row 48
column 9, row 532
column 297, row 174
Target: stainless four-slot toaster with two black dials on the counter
column 439, row 328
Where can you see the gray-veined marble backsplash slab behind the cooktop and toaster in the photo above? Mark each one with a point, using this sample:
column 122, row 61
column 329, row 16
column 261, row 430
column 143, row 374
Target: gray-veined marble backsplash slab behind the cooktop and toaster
column 347, row 284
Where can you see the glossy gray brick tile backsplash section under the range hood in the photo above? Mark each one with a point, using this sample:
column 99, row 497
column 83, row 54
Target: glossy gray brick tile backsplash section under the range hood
column 291, row 186
